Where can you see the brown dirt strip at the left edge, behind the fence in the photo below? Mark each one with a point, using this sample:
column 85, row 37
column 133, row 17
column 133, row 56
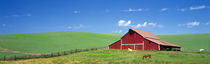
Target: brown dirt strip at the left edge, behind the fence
column 15, row 51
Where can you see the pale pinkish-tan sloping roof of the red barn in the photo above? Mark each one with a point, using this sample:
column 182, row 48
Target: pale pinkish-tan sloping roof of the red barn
column 153, row 38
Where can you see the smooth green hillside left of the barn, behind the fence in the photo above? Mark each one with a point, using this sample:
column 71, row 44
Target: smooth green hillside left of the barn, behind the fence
column 55, row 41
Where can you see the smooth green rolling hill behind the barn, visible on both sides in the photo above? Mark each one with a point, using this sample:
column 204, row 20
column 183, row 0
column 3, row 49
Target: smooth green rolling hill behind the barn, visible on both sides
column 60, row 41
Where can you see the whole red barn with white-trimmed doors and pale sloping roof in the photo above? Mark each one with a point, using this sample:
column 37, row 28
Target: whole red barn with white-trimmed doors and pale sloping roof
column 142, row 40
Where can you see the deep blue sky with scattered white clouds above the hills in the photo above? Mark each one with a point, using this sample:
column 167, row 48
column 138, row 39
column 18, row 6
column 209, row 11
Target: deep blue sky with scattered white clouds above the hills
column 105, row 16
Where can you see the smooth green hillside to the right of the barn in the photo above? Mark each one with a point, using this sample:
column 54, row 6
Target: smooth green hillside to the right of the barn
column 189, row 41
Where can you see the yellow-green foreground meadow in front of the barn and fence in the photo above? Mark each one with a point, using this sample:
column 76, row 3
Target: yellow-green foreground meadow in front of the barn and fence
column 121, row 57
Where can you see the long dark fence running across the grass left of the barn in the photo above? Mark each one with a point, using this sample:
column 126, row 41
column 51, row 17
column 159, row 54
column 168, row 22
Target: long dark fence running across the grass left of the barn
column 46, row 55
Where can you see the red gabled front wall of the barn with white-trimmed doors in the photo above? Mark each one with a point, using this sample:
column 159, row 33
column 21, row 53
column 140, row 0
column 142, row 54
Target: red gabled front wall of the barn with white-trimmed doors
column 134, row 38
